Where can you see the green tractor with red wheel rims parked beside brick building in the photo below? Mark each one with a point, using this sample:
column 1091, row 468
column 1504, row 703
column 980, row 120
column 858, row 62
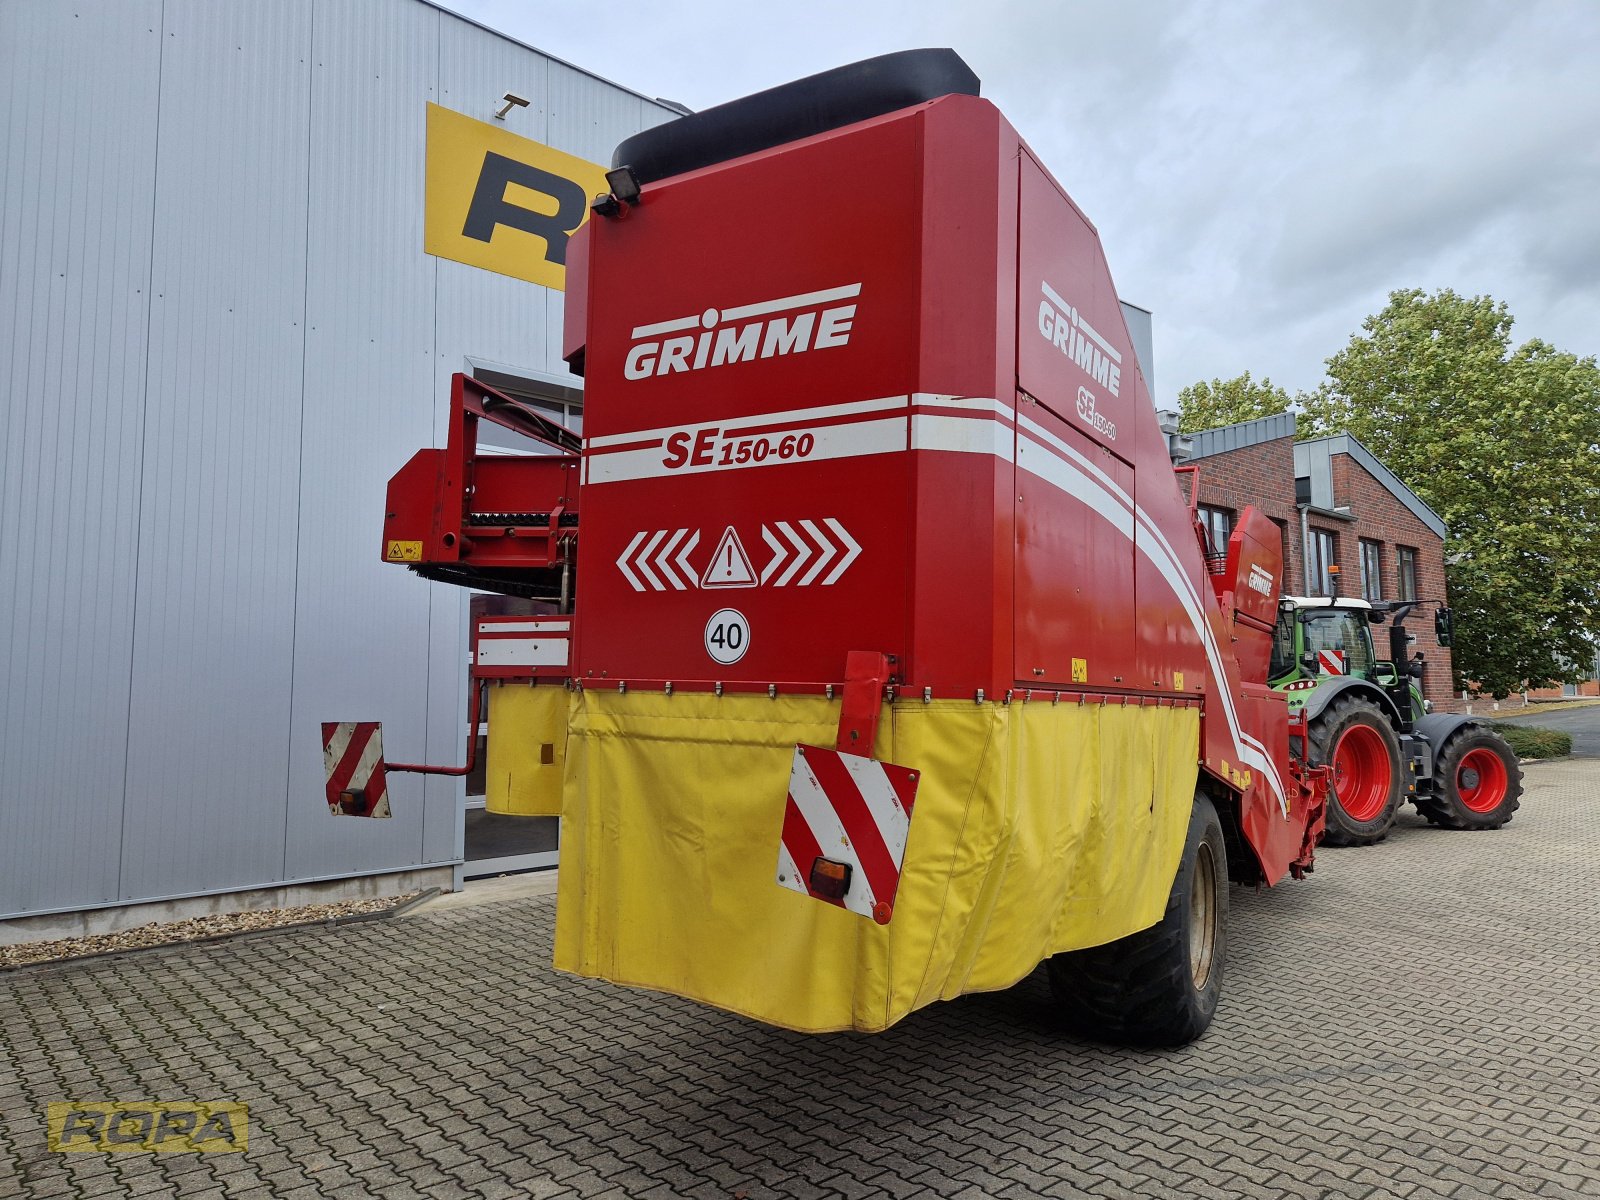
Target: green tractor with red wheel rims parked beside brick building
column 1369, row 721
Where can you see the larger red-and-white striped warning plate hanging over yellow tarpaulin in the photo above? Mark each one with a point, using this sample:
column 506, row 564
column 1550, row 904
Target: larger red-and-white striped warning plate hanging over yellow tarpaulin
column 847, row 810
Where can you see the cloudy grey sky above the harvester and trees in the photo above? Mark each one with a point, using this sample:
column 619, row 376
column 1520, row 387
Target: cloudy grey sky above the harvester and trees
column 1263, row 174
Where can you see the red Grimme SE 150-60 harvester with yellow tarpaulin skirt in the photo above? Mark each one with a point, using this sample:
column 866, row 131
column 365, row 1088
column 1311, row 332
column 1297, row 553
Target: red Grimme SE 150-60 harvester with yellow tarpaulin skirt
column 892, row 663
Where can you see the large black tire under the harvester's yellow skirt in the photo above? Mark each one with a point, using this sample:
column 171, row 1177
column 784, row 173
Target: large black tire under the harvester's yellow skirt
column 1158, row 988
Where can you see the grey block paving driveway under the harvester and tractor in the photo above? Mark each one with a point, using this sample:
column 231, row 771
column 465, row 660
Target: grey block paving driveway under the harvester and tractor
column 1418, row 1020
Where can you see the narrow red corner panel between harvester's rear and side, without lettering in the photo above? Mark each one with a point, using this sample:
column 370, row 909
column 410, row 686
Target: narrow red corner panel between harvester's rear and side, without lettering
column 964, row 439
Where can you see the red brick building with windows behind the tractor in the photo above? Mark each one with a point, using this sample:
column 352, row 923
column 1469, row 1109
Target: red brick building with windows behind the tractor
column 1335, row 505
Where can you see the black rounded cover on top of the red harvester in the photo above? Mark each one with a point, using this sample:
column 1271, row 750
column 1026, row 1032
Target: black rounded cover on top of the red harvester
column 794, row 111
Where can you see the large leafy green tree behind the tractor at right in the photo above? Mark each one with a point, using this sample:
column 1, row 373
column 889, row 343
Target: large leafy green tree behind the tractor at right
column 1506, row 447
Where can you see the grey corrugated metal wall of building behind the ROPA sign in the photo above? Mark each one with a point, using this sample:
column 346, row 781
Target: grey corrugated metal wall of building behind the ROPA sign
column 220, row 337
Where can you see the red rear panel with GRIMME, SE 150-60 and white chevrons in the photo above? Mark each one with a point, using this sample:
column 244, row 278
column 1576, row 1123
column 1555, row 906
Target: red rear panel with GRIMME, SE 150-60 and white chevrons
column 746, row 473
